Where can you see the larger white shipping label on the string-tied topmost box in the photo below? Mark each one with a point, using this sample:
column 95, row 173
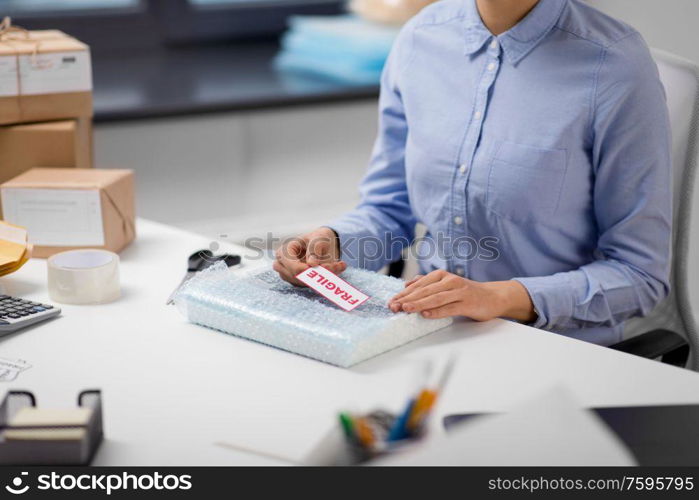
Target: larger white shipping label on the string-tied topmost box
column 55, row 73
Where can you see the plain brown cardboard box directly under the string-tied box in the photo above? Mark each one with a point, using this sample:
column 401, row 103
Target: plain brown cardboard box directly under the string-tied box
column 66, row 143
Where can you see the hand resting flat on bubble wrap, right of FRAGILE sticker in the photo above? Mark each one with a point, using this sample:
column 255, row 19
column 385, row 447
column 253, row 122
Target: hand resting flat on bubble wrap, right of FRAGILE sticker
column 441, row 294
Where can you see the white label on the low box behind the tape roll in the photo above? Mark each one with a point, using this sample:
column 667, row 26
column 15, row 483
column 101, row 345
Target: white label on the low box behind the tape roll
column 56, row 217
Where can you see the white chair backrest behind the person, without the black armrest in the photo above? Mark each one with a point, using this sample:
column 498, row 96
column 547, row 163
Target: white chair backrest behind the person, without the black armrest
column 681, row 80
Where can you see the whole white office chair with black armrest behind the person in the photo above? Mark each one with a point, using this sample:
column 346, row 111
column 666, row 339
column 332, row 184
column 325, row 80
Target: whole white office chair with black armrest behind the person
column 669, row 332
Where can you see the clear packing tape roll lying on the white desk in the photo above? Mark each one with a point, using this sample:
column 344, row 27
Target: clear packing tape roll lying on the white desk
column 84, row 277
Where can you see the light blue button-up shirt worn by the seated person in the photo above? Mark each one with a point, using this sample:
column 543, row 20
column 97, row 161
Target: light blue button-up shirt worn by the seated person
column 542, row 155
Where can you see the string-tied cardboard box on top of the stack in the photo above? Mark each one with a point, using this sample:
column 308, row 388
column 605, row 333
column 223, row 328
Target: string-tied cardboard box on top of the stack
column 44, row 75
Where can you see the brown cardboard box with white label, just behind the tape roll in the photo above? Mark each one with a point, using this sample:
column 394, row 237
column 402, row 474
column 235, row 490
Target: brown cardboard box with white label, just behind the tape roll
column 68, row 208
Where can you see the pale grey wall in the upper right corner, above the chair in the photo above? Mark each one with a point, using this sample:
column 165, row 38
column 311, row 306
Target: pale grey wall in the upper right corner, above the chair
column 671, row 25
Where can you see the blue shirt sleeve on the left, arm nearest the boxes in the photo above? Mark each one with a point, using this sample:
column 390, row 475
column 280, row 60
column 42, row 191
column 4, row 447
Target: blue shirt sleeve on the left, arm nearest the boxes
column 376, row 231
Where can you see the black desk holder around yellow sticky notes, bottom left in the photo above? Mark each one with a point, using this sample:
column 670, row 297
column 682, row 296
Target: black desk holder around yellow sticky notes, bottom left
column 49, row 451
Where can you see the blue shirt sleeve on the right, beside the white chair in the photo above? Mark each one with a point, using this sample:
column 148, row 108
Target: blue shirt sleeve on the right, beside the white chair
column 632, row 201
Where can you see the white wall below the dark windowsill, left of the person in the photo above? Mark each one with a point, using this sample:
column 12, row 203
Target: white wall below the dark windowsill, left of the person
column 244, row 174
